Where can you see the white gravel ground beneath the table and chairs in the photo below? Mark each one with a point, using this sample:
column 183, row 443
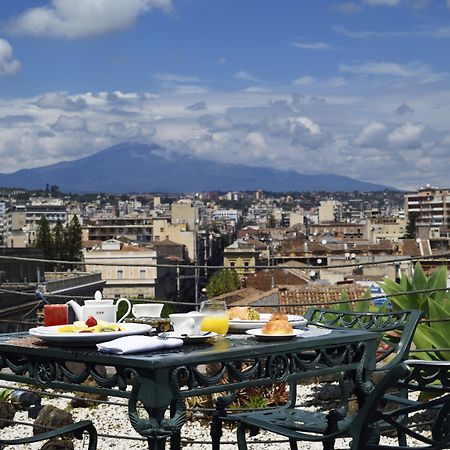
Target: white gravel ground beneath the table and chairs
column 113, row 420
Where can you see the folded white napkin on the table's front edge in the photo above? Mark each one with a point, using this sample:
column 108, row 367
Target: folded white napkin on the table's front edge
column 138, row 343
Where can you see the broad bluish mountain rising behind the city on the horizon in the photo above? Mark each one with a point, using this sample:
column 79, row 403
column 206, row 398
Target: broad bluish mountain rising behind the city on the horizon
column 131, row 167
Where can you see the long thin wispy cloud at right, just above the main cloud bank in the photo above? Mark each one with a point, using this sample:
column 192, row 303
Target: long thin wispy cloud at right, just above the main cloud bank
column 422, row 72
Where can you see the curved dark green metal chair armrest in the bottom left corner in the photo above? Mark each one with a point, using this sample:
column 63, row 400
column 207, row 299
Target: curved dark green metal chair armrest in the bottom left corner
column 75, row 429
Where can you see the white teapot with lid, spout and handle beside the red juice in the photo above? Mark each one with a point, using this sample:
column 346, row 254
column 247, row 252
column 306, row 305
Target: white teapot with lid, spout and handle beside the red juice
column 101, row 309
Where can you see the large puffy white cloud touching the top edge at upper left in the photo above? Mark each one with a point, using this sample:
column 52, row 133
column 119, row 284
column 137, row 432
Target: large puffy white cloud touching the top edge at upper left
column 82, row 18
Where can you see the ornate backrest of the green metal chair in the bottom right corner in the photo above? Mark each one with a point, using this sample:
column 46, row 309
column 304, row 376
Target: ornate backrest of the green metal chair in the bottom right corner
column 411, row 419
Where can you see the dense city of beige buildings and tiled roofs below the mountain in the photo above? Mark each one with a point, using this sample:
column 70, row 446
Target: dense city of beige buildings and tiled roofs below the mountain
column 186, row 238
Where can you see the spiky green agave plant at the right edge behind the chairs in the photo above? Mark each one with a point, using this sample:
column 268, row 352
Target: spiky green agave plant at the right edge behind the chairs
column 434, row 331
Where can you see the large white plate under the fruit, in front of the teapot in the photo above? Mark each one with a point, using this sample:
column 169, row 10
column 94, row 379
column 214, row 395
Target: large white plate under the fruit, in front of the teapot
column 50, row 334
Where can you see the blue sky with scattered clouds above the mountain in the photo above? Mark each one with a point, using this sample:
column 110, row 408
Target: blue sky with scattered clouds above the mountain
column 357, row 88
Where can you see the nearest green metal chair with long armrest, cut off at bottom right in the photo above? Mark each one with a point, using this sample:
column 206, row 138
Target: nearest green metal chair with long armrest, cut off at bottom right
column 403, row 417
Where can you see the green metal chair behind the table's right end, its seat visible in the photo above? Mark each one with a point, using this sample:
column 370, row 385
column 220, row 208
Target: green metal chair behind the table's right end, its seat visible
column 396, row 331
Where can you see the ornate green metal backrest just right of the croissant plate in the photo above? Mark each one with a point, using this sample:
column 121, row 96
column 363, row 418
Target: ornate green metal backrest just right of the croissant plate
column 396, row 329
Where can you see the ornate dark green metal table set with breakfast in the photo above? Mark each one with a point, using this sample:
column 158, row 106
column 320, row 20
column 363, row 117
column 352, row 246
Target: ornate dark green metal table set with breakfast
column 162, row 380
